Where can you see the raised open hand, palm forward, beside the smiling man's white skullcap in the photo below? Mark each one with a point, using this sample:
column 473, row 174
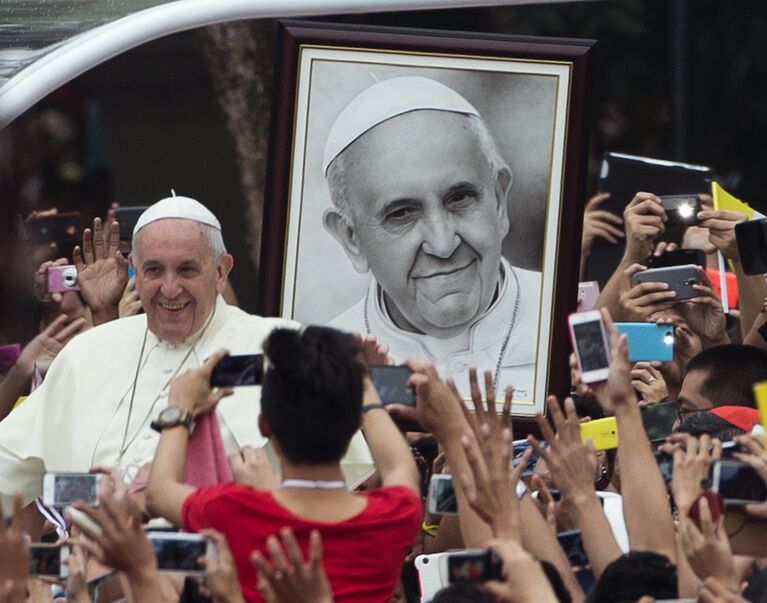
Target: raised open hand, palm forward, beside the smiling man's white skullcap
column 102, row 271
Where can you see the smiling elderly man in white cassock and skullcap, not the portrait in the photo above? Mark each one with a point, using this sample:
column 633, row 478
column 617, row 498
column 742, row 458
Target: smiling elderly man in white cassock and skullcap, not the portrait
column 107, row 385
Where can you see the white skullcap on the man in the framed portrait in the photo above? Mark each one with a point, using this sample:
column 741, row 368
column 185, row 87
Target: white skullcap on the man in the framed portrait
column 385, row 100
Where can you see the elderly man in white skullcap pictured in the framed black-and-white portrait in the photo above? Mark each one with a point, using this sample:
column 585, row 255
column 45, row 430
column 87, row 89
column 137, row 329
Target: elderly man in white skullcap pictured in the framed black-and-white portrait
column 420, row 197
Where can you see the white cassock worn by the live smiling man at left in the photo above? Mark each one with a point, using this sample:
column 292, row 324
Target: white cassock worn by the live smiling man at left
column 77, row 418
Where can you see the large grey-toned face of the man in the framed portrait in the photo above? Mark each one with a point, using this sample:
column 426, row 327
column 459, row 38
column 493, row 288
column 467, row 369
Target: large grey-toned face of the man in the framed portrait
column 429, row 218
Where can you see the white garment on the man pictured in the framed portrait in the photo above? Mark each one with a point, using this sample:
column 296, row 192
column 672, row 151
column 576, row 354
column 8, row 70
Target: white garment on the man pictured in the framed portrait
column 504, row 340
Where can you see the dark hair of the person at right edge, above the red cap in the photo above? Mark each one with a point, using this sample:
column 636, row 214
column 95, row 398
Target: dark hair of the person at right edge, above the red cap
column 732, row 370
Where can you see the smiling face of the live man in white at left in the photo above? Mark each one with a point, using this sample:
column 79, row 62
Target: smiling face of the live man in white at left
column 177, row 277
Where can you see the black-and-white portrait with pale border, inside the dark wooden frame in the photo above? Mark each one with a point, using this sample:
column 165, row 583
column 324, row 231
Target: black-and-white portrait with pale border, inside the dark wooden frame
column 424, row 208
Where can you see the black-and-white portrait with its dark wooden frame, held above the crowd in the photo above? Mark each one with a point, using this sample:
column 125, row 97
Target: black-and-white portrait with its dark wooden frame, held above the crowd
column 427, row 188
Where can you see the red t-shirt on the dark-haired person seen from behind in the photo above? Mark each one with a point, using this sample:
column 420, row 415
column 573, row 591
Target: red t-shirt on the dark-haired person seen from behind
column 361, row 555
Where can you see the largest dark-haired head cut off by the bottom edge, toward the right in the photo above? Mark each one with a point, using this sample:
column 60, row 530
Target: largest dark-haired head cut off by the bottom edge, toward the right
column 633, row 576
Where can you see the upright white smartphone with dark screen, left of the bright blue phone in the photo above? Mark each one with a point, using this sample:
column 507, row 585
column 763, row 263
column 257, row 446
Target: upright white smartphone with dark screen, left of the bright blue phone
column 589, row 339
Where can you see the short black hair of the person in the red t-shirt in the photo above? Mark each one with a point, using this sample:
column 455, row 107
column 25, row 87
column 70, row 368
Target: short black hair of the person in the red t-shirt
column 312, row 392
